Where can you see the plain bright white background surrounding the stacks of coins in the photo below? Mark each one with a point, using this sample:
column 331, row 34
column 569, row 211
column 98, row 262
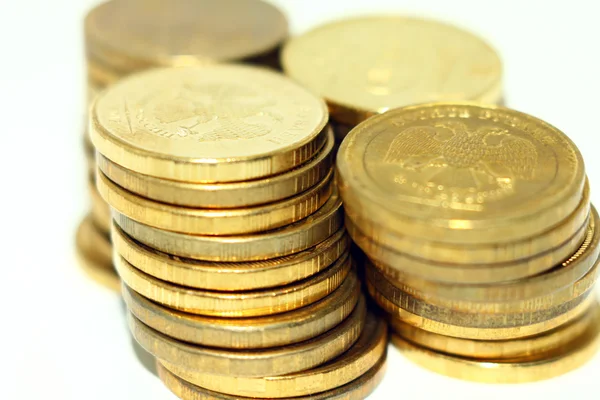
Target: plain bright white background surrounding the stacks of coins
column 62, row 337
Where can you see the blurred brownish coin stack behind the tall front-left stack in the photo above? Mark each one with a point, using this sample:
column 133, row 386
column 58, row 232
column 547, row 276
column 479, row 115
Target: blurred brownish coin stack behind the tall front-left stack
column 126, row 36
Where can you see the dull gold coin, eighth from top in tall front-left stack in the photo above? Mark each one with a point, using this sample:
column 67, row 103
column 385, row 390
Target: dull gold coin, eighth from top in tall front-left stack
column 252, row 363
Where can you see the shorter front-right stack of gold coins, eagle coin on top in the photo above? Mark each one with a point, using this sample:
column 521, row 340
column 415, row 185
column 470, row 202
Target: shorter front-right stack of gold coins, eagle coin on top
column 482, row 244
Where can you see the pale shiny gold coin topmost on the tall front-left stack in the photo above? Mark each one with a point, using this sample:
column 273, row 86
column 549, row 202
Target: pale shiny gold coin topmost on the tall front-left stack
column 221, row 123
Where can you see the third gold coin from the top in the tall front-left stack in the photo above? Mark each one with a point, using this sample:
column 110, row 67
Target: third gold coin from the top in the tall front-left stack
column 215, row 221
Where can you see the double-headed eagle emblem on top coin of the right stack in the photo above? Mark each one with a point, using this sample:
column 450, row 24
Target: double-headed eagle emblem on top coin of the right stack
column 467, row 158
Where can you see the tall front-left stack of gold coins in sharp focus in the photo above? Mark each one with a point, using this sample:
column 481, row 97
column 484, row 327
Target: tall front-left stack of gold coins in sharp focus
column 228, row 235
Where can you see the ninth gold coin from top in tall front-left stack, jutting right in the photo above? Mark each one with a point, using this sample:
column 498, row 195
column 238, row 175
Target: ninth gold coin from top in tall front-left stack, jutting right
column 368, row 352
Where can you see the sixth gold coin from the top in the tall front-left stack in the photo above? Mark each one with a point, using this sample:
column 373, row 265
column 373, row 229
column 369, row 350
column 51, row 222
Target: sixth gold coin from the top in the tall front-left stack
column 235, row 304
